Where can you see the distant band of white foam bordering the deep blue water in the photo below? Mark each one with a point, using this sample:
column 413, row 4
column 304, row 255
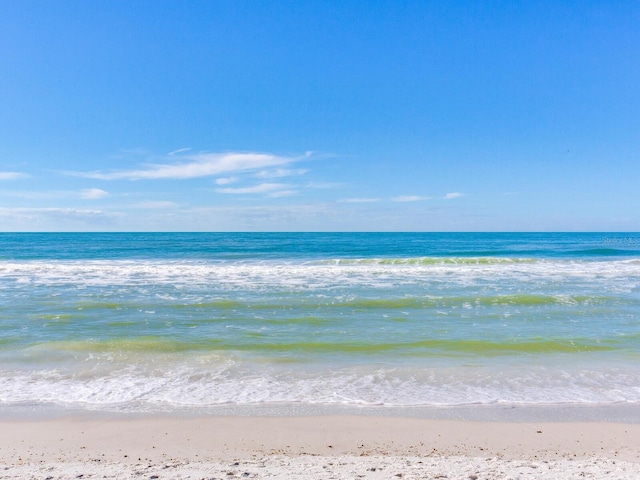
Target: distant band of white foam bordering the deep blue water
column 622, row 275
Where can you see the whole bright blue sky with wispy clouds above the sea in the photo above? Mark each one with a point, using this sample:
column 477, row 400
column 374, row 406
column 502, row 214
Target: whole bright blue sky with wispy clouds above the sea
column 319, row 116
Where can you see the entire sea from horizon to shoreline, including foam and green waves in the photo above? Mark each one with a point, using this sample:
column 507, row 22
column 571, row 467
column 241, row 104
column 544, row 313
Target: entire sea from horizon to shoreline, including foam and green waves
column 154, row 322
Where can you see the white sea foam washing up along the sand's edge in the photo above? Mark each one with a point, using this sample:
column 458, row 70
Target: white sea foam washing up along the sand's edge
column 138, row 388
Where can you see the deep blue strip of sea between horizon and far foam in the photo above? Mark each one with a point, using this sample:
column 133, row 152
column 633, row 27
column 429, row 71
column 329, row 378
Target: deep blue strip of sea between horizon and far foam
column 78, row 246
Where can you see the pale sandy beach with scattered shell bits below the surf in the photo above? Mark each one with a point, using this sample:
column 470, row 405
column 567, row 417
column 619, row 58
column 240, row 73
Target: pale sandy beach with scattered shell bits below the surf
column 318, row 447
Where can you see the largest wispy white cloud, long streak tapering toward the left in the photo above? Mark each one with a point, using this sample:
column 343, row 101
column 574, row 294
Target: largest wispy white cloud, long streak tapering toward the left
column 199, row 165
